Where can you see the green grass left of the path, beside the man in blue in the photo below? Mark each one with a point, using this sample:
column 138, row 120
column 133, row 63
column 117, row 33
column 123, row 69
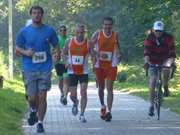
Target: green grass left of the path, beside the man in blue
column 12, row 108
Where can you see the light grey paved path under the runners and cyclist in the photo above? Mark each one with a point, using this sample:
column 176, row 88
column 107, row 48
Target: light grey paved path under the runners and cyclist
column 129, row 118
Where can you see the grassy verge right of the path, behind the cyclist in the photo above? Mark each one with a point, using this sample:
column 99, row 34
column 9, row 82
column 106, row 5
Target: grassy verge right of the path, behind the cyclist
column 136, row 84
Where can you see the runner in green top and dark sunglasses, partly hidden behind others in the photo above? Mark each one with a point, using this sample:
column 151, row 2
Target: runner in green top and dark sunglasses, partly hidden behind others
column 60, row 67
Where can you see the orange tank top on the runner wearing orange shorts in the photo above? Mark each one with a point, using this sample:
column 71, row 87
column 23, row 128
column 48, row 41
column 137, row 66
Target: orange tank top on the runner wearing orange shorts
column 106, row 47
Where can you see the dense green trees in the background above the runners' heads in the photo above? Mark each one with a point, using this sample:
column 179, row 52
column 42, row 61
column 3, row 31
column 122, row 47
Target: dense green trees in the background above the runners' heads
column 132, row 18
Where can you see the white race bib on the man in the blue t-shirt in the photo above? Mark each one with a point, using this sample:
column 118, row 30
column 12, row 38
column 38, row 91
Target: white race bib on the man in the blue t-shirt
column 39, row 57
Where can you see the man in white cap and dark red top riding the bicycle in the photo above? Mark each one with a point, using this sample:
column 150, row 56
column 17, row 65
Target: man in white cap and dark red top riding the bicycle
column 159, row 48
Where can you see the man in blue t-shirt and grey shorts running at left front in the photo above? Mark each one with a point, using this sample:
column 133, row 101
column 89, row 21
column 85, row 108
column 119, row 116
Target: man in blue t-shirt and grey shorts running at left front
column 33, row 44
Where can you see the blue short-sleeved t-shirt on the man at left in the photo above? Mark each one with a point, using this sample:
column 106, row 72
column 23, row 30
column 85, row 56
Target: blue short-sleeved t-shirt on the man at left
column 39, row 39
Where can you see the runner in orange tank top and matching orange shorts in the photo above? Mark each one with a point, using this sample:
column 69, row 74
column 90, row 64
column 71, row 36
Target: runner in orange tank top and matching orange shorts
column 106, row 48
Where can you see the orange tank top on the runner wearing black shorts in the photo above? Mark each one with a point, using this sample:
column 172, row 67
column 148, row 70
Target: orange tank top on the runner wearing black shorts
column 78, row 52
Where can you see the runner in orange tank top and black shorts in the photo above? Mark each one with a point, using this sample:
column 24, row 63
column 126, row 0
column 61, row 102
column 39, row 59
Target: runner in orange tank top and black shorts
column 75, row 55
